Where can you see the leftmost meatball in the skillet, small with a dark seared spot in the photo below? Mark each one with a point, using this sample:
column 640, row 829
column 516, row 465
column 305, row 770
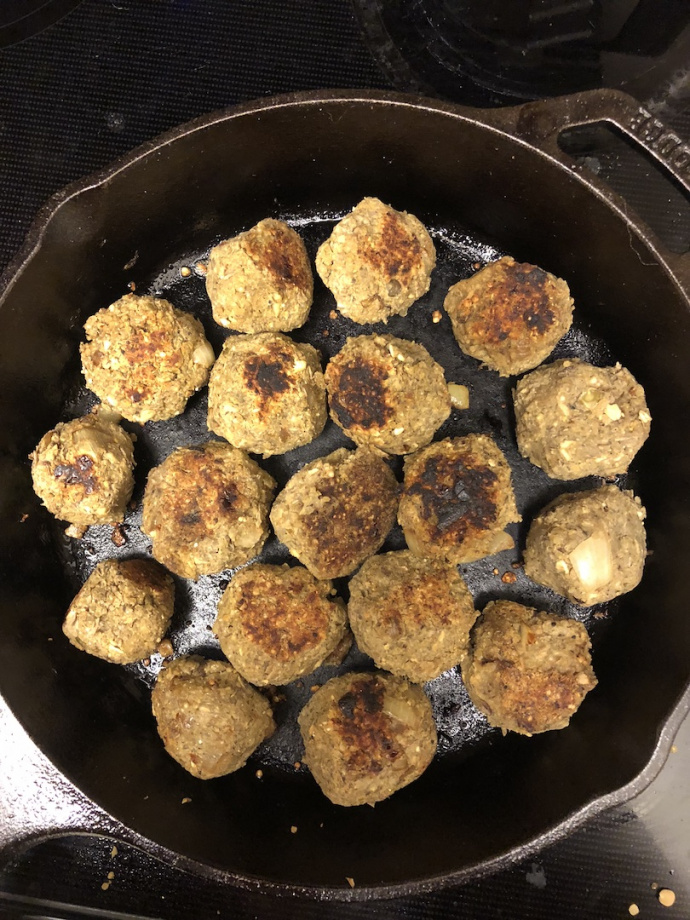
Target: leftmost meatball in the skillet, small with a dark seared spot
column 82, row 470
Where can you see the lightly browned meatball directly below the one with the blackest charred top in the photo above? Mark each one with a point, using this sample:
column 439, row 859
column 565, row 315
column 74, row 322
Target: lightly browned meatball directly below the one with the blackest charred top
column 412, row 615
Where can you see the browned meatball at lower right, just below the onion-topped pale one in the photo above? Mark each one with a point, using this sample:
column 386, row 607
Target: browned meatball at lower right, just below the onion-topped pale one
column 527, row 671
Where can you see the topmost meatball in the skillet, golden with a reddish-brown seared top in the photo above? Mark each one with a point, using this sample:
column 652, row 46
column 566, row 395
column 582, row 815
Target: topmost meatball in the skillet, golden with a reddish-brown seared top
column 377, row 262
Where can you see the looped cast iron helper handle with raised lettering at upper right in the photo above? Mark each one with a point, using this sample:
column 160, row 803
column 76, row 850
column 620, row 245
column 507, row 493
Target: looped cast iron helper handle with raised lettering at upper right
column 542, row 122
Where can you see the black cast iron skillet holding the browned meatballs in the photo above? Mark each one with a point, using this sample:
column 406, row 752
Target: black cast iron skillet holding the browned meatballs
column 486, row 183
